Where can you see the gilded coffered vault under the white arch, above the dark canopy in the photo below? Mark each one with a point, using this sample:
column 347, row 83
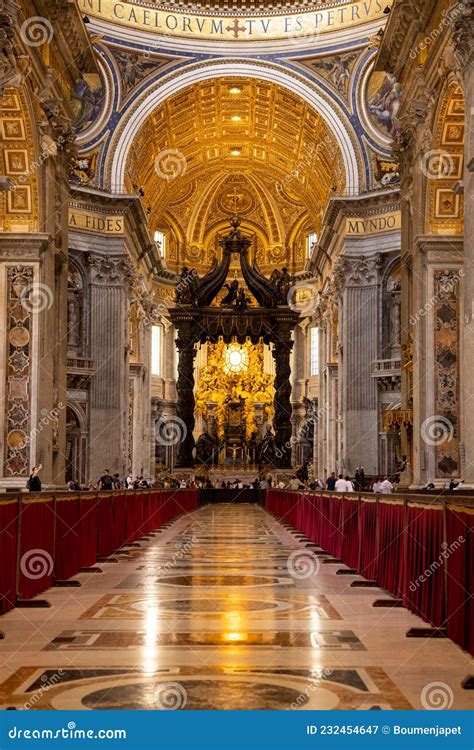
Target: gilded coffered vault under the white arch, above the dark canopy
column 244, row 145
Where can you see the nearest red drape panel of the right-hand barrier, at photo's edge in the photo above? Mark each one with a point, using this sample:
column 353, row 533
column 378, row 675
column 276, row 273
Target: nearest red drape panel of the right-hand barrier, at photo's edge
column 460, row 576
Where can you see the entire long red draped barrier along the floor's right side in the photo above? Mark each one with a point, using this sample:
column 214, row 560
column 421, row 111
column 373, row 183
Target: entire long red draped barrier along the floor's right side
column 421, row 553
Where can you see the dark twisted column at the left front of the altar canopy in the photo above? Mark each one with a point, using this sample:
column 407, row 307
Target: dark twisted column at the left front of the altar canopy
column 185, row 419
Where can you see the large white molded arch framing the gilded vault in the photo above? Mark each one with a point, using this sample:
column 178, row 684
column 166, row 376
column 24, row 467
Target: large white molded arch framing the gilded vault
column 336, row 120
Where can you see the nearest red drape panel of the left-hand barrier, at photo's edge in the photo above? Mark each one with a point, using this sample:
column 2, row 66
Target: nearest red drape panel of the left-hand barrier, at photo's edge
column 8, row 553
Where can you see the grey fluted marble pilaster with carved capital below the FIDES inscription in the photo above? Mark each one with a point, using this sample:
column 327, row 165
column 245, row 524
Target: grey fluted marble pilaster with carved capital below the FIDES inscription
column 109, row 333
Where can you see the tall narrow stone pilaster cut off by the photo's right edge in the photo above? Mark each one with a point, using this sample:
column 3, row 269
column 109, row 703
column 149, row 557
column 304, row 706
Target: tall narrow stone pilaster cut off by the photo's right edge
column 463, row 35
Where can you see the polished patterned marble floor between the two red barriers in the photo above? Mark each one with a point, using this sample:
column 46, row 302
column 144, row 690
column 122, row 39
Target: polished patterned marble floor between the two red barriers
column 224, row 609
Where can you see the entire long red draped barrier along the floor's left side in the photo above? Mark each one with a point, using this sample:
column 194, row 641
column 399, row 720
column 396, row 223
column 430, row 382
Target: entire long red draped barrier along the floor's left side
column 45, row 537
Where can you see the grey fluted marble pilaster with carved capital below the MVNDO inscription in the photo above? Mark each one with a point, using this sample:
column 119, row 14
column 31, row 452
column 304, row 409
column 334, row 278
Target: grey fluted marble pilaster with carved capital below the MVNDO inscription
column 360, row 349
